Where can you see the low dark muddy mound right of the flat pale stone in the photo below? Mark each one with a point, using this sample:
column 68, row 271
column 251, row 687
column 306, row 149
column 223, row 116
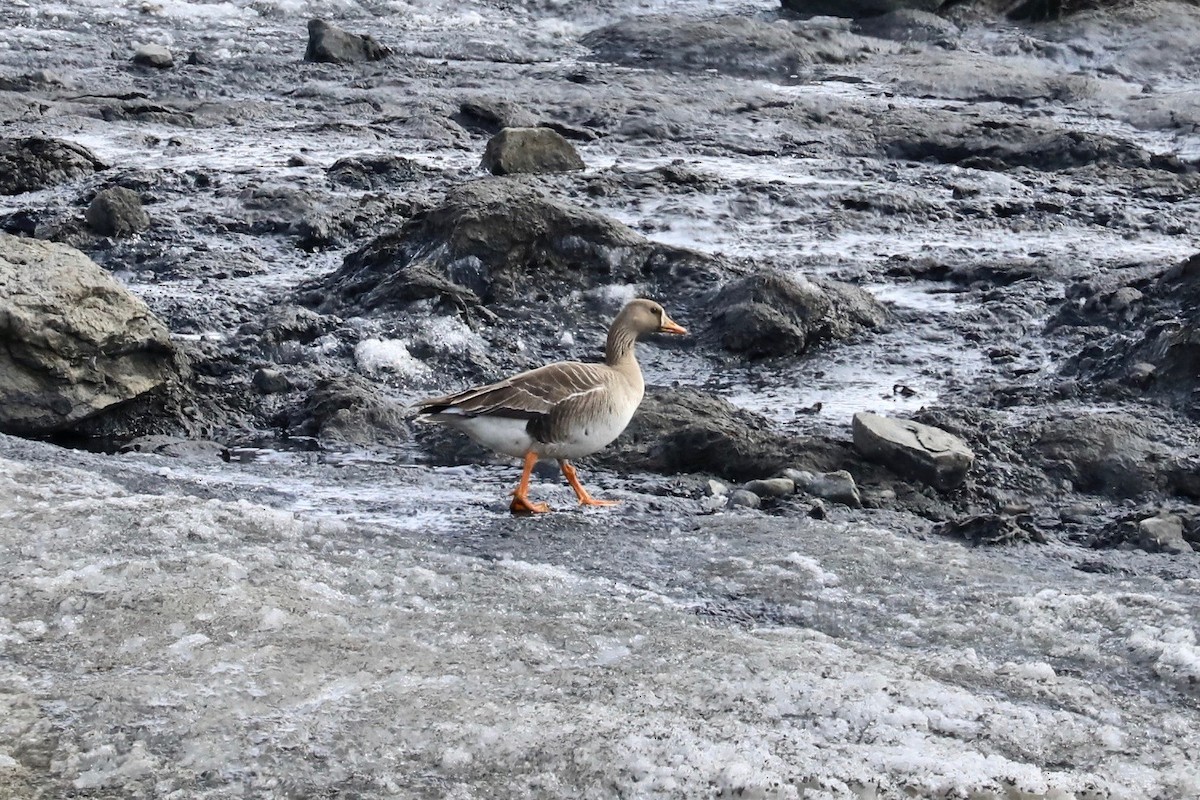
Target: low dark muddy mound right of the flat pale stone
column 1113, row 454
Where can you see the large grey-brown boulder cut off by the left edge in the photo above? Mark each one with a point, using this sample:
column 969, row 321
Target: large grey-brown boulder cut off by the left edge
column 76, row 342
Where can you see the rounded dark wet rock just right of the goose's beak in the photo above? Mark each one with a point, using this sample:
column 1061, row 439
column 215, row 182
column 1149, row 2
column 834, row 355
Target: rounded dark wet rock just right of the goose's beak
column 770, row 315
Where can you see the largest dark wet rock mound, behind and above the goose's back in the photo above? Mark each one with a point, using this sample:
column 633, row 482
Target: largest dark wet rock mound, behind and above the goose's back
column 499, row 242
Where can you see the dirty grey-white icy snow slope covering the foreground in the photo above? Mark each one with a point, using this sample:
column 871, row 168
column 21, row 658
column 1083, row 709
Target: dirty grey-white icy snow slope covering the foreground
column 272, row 649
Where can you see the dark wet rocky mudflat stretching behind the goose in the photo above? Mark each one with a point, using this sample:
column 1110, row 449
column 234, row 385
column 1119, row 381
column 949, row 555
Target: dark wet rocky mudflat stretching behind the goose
column 1083, row 394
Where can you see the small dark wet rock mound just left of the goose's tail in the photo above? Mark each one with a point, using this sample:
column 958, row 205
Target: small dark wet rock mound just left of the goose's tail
column 349, row 411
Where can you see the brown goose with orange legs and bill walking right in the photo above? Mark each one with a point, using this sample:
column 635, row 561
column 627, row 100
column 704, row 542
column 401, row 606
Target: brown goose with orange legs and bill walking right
column 562, row 411
